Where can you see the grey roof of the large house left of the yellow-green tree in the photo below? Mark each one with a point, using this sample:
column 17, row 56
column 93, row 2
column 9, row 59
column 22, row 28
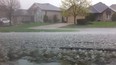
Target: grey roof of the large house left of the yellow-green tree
column 47, row 6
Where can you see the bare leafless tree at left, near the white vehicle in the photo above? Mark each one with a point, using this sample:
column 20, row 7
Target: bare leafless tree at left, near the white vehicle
column 9, row 6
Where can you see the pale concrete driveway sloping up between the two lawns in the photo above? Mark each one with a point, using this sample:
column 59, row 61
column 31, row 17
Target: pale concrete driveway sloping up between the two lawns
column 52, row 26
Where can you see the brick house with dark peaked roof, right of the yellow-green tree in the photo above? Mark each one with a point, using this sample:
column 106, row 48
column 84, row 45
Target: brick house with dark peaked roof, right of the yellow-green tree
column 102, row 12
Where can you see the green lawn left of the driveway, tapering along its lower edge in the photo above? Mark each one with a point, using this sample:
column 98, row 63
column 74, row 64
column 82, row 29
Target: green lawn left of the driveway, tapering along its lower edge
column 25, row 28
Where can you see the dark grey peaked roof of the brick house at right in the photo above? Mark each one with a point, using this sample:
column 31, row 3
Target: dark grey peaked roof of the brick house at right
column 98, row 8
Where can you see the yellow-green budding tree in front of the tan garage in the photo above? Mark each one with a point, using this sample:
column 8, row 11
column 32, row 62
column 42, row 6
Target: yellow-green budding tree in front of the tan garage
column 74, row 7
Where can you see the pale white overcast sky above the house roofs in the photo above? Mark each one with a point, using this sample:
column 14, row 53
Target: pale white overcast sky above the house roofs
column 25, row 4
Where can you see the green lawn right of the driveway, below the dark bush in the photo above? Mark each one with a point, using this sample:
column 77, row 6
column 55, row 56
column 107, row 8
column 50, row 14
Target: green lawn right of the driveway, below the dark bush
column 94, row 25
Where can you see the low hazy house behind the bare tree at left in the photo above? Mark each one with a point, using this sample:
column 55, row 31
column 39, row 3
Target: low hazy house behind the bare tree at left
column 19, row 16
